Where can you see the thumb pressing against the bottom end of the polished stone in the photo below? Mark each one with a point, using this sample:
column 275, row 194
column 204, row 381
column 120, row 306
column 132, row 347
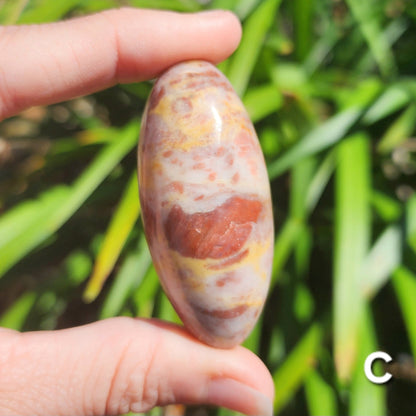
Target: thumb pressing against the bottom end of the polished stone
column 125, row 365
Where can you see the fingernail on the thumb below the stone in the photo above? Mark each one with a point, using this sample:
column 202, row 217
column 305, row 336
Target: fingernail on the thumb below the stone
column 237, row 396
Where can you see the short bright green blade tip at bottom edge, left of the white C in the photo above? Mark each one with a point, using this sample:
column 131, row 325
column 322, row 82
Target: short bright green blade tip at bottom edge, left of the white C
column 320, row 396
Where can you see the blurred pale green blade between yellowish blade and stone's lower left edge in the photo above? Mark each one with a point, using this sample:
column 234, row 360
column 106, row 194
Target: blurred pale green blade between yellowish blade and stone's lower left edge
column 131, row 274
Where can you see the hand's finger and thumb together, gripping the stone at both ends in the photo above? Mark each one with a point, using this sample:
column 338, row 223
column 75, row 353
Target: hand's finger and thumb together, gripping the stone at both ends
column 121, row 364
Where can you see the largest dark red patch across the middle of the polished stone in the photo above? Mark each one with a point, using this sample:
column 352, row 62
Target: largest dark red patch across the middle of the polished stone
column 216, row 234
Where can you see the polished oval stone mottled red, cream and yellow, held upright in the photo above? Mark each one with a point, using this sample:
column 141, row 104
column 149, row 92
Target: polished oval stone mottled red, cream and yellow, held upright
column 206, row 203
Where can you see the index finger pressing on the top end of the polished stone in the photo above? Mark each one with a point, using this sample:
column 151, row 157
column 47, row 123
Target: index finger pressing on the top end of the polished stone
column 42, row 64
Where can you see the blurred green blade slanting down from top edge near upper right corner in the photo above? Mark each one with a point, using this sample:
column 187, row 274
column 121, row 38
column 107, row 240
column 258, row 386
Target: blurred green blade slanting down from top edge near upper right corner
column 365, row 14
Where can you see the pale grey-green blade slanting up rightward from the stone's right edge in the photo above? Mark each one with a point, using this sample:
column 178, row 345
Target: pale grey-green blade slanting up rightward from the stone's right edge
column 318, row 139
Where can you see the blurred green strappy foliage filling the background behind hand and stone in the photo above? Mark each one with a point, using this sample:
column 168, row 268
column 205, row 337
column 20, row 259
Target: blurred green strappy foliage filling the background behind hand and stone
column 331, row 87
